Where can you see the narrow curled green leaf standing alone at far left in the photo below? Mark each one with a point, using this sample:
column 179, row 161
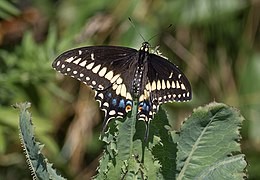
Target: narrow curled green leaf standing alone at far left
column 38, row 164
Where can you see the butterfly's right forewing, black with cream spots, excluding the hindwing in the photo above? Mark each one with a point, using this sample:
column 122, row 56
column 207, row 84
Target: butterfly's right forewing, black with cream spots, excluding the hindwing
column 171, row 83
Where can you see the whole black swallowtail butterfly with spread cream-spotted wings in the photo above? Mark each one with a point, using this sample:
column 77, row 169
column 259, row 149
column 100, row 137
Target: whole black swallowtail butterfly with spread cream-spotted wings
column 120, row 75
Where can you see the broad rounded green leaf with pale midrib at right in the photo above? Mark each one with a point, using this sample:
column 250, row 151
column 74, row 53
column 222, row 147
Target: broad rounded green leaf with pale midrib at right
column 208, row 144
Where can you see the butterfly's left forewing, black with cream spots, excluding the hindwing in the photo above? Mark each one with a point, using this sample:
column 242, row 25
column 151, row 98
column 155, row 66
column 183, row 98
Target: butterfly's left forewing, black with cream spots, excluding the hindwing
column 95, row 66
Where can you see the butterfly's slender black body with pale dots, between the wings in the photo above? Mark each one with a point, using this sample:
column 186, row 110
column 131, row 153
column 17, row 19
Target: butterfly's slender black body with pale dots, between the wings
column 139, row 72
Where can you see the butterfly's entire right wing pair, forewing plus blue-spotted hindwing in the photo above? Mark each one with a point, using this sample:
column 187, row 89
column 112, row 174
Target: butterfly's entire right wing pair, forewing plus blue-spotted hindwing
column 163, row 83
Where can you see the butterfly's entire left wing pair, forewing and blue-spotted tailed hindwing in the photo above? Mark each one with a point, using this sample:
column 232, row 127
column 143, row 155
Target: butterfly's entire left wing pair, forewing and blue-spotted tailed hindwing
column 106, row 69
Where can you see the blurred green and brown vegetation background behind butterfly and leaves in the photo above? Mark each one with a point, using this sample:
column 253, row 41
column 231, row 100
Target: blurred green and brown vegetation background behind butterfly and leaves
column 215, row 43
